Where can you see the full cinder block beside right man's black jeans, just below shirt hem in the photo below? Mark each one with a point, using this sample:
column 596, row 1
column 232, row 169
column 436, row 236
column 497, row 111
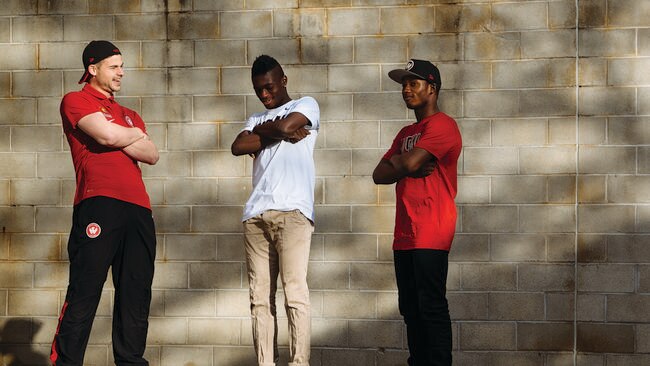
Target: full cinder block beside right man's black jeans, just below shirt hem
column 484, row 277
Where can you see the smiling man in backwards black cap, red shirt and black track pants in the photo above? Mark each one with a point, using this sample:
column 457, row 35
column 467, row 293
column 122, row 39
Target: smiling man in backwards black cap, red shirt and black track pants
column 112, row 225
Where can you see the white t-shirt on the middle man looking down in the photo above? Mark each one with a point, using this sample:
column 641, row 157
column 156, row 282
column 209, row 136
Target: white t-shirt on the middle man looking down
column 283, row 173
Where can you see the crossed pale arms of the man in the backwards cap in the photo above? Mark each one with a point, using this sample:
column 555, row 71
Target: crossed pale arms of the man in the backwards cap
column 132, row 141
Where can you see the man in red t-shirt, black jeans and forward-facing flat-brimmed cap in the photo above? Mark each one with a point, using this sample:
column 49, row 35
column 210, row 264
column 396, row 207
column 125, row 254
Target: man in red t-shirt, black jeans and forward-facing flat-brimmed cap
column 423, row 161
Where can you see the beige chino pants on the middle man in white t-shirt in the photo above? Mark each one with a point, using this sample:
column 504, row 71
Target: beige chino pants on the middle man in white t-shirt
column 278, row 242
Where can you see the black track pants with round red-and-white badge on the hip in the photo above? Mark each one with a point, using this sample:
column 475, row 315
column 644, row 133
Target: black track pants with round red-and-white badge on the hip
column 127, row 244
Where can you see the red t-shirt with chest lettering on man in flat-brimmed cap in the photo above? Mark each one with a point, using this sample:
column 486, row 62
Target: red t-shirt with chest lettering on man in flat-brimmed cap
column 425, row 210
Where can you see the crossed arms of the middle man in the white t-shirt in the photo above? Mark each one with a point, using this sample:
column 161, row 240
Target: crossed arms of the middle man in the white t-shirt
column 290, row 128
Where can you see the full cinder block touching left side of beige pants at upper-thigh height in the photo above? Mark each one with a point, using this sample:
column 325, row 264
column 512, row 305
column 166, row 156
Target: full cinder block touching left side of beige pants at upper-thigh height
column 216, row 275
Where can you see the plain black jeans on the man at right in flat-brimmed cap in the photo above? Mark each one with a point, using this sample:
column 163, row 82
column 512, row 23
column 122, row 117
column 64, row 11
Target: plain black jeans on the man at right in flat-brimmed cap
column 422, row 285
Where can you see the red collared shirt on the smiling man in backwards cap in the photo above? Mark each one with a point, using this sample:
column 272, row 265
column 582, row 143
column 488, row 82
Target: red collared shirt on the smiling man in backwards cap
column 101, row 170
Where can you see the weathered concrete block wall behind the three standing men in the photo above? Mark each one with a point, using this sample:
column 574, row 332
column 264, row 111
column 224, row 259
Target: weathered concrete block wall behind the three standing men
column 551, row 262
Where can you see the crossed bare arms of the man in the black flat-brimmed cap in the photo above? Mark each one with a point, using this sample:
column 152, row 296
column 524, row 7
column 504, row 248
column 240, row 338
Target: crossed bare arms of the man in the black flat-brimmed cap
column 417, row 163
